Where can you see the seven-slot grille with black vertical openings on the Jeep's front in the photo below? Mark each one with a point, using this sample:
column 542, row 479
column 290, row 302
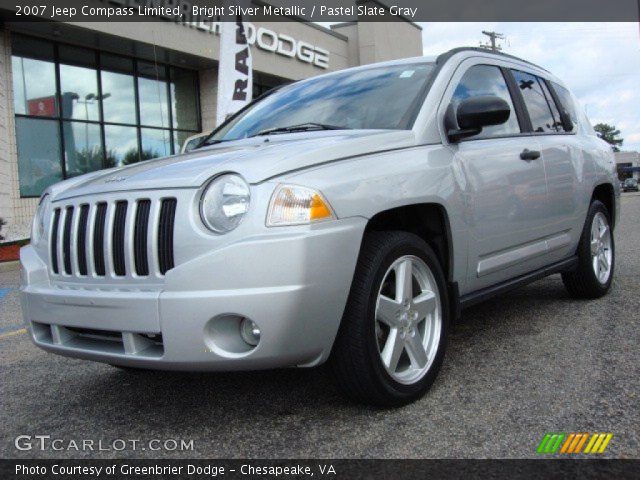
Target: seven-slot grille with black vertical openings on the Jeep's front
column 113, row 239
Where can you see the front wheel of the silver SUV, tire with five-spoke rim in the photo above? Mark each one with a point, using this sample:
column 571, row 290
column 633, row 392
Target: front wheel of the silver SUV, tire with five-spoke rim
column 392, row 339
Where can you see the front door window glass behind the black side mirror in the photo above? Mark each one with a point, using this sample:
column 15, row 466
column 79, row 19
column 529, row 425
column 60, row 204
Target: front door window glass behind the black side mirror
column 482, row 80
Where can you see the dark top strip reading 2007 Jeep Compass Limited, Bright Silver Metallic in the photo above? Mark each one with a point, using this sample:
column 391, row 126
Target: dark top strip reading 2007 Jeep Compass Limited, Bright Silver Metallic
column 195, row 11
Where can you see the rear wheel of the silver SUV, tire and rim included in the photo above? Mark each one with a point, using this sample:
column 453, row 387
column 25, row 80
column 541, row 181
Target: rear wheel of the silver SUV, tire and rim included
column 596, row 256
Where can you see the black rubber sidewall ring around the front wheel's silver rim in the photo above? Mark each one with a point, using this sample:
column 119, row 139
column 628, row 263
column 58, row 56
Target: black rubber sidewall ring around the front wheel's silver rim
column 406, row 244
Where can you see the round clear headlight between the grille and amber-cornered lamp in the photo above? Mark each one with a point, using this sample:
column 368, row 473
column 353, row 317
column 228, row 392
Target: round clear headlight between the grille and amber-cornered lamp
column 224, row 203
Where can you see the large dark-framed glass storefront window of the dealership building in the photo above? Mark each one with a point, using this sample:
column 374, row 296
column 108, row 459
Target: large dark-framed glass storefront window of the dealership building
column 100, row 97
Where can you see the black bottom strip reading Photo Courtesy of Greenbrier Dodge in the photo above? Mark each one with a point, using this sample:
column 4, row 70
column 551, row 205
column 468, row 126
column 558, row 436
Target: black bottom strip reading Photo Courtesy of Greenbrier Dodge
column 319, row 469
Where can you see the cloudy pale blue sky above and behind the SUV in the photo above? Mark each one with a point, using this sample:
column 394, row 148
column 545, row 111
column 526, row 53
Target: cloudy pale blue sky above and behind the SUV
column 599, row 62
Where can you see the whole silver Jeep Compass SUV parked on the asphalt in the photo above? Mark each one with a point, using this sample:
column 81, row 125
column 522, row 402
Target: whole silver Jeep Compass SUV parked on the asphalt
column 348, row 217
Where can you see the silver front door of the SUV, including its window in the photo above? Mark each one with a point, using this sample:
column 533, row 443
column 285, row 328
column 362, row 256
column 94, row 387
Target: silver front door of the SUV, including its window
column 506, row 191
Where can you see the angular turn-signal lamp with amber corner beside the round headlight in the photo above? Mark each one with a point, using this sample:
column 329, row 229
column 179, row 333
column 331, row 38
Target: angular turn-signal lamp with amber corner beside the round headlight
column 294, row 205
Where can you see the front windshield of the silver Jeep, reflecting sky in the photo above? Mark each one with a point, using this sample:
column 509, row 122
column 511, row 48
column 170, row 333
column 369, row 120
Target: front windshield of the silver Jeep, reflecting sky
column 375, row 98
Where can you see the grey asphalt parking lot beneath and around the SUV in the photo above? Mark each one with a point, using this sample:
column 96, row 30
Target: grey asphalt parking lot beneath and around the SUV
column 526, row 363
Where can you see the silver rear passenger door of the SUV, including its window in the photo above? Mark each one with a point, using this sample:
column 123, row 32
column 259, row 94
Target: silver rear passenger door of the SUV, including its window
column 562, row 159
